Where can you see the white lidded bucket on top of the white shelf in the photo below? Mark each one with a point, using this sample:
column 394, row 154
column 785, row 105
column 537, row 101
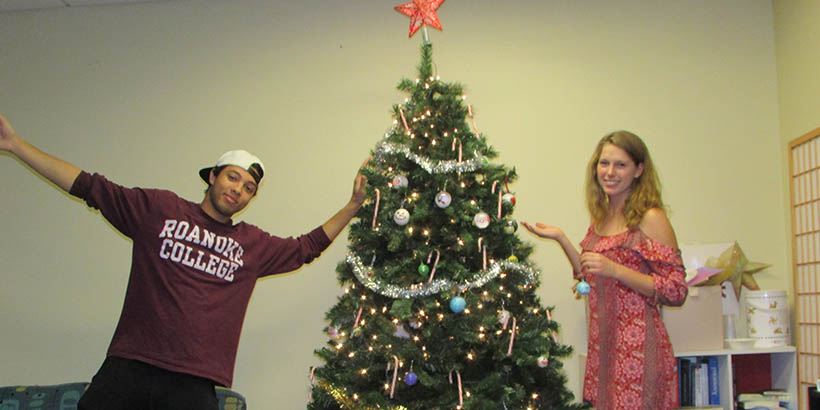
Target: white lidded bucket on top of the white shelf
column 767, row 317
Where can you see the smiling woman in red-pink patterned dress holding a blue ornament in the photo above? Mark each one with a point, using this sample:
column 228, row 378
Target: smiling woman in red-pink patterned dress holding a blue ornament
column 630, row 259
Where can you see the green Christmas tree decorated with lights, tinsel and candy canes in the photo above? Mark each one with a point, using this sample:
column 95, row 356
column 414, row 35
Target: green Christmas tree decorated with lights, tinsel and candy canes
column 439, row 309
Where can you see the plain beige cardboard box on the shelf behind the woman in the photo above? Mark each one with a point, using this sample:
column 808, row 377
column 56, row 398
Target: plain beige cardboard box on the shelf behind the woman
column 698, row 324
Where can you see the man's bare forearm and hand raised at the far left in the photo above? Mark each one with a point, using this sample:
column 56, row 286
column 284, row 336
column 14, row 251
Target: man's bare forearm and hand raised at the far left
column 60, row 172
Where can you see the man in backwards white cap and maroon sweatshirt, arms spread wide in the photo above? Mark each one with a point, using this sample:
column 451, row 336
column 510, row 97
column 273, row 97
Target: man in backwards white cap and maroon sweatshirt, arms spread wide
column 192, row 274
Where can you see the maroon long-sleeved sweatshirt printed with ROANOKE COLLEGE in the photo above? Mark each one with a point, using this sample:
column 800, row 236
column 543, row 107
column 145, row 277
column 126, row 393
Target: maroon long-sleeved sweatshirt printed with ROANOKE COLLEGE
column 191, row 276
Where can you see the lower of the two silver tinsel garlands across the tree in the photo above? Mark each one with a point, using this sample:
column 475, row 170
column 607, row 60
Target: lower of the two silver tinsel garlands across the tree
column 366, row 277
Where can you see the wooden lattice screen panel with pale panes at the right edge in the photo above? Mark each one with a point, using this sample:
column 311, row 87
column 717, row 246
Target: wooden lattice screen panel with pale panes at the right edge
column 804, row 168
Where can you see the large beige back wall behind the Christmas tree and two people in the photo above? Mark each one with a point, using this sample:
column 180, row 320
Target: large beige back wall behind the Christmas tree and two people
column 146, row 94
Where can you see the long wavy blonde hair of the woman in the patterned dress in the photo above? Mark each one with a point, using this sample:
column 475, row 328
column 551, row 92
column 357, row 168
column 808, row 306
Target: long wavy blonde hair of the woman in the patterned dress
column 645, row 192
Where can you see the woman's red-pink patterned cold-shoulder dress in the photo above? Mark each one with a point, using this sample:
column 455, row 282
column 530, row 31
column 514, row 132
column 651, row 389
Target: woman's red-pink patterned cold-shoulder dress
column 630, row 364
